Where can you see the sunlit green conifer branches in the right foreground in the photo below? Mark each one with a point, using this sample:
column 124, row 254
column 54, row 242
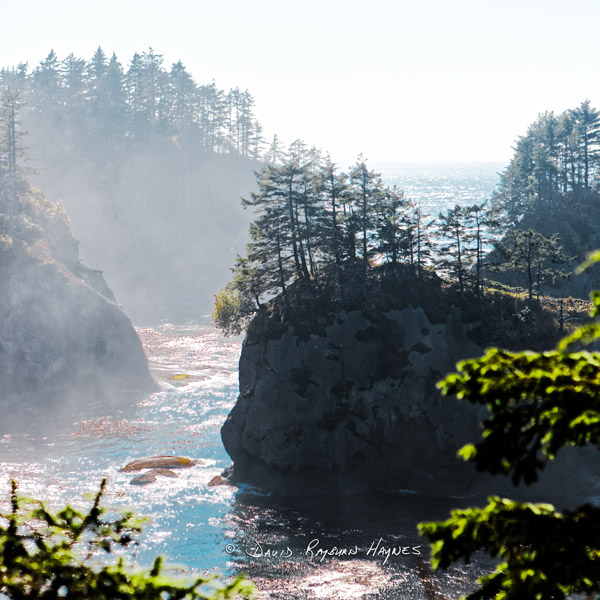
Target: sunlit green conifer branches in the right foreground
column 538, row 403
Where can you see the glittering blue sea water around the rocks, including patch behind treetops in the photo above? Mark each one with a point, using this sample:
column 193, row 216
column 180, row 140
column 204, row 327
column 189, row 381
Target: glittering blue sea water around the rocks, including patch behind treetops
column 60, row 456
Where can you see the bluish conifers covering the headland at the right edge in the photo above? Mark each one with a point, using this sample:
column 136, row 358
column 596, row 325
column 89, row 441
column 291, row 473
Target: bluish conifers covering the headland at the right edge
column 551, row 184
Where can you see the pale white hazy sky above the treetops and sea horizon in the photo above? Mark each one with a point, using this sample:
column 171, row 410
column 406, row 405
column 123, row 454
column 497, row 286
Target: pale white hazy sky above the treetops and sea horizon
column 398, row 80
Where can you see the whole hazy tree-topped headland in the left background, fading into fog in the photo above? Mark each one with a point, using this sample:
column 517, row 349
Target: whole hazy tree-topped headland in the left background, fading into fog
column 149, row 164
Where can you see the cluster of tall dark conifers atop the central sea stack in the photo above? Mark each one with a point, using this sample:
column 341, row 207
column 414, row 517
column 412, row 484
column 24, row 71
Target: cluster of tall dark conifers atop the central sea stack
column 319, row 228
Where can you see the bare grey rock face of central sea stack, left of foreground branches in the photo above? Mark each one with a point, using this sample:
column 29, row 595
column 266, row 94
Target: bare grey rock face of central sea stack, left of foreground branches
column 354, row 408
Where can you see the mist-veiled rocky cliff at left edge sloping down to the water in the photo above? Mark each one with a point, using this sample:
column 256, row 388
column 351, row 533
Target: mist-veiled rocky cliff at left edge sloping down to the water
column 61, row 332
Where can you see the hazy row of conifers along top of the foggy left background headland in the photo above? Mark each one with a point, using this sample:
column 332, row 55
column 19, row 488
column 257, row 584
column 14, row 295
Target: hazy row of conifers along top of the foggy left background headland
column 99, row 98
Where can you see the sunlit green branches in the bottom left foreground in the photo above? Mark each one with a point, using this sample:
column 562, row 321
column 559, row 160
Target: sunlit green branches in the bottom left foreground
column 50, row 555
